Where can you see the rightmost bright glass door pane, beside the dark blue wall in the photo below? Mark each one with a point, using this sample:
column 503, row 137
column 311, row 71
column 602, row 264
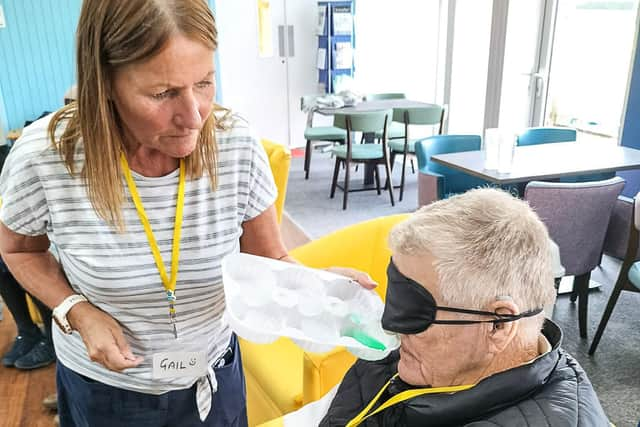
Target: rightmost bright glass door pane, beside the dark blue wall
column 590, row 66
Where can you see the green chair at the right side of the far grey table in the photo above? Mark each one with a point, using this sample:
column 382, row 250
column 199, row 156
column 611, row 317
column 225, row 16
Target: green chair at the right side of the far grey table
column 433, row 115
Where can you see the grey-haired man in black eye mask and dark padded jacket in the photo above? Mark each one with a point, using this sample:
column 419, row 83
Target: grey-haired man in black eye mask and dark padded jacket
column 468, row 279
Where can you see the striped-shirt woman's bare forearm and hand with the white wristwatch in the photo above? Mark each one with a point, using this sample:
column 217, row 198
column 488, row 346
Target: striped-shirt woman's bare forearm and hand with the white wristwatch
column 36, row 269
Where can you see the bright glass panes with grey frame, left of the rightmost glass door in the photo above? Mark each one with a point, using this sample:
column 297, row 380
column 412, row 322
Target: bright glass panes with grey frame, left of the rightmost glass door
column 497, row 73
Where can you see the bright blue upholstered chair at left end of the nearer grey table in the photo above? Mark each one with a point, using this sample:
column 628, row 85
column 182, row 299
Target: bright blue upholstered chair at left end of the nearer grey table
column 437, row 182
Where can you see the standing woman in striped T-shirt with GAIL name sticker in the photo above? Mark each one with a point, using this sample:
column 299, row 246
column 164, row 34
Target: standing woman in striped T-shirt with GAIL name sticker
column 143, row 185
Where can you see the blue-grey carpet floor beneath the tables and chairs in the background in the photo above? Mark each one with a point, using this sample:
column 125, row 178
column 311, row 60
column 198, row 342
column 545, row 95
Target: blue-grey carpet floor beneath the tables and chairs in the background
column 615, row 368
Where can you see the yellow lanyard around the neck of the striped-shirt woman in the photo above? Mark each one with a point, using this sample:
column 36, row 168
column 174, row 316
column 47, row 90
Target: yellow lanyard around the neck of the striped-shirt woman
column 169, row 283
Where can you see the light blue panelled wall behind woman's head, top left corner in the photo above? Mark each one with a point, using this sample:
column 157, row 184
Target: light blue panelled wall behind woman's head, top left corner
column 36, row 56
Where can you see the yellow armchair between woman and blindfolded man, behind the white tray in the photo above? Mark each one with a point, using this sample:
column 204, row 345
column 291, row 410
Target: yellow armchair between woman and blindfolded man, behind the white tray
column 280, row 376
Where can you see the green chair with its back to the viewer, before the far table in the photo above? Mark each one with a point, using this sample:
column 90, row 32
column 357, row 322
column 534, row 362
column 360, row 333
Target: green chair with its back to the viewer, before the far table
column 373, row 154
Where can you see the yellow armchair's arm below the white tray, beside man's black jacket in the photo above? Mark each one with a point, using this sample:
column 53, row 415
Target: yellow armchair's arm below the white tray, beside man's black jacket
column 321, row 372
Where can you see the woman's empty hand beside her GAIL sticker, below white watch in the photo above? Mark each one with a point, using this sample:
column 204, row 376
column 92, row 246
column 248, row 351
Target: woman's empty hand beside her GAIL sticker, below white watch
column 103, row 337
